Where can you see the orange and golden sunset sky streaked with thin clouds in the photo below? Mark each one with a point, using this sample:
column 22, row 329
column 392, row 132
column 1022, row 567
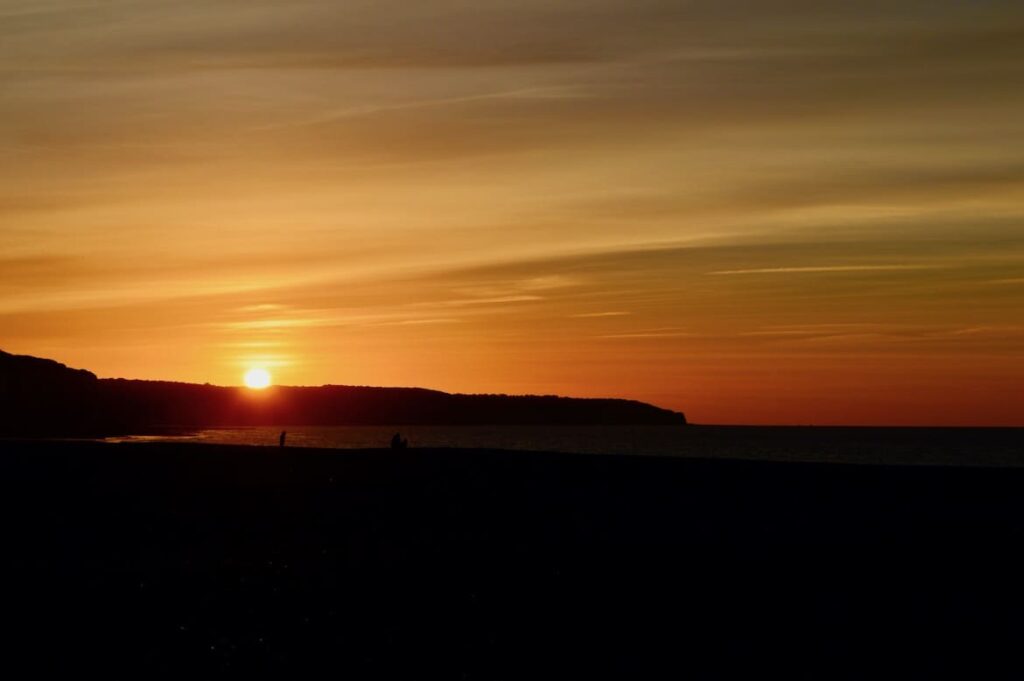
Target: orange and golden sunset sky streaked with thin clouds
column 754, row 211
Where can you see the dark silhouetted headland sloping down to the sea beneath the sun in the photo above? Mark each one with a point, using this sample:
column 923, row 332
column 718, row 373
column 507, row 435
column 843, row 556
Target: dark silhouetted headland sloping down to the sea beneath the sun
column 46, row 398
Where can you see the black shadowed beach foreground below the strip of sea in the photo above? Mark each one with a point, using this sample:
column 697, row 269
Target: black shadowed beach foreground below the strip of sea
column 473, row 565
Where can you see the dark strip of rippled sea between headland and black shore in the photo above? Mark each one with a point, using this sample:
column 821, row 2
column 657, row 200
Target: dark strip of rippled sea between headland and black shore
column 996, row 447
